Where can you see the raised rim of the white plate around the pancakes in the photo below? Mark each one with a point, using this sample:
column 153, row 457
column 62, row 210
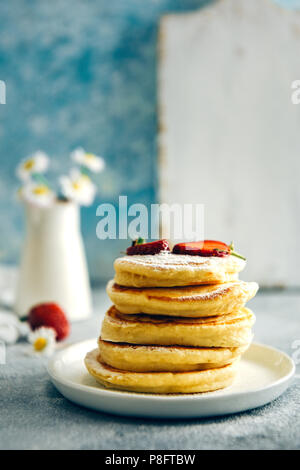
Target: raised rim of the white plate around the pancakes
column 163, row 397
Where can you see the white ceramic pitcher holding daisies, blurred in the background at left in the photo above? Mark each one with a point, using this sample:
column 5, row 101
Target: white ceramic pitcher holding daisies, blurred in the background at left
column 53, row 264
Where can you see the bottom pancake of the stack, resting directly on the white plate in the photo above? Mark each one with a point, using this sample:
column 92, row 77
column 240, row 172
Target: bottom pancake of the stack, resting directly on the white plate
column 159, row 382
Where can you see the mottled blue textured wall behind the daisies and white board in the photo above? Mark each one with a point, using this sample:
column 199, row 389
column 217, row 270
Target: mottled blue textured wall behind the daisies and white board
column 81, row 73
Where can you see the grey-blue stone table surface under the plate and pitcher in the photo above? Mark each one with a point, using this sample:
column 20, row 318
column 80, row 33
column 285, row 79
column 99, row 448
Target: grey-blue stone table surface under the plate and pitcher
column 34, row 415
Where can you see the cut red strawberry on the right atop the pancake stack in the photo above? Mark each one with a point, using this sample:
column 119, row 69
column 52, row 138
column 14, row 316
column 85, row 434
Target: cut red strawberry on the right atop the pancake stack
column 206, row 248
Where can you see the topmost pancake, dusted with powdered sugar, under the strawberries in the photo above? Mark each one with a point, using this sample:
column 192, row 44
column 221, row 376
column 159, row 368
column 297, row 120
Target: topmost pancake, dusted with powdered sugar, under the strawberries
column 170, row 270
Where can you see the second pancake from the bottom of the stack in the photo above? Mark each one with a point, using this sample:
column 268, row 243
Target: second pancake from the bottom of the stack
column 165, row 358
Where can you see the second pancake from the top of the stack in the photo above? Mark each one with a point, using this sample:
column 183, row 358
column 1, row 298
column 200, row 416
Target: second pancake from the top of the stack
column 195, row 301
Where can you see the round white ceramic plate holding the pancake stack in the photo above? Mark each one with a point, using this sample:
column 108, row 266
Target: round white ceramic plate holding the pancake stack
column 264, row 374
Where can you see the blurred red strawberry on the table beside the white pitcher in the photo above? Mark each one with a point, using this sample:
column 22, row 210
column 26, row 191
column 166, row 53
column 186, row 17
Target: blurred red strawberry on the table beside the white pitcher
column 52, row 316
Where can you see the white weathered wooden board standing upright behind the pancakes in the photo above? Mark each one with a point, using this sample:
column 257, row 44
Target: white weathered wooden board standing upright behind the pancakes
column 229, row 133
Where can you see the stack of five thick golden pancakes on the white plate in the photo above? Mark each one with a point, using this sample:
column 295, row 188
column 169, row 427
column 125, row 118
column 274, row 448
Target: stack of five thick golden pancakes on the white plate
column 178, row 324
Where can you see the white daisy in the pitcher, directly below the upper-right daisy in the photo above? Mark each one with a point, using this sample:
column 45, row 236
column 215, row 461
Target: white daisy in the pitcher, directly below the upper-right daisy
column 78, row 187
